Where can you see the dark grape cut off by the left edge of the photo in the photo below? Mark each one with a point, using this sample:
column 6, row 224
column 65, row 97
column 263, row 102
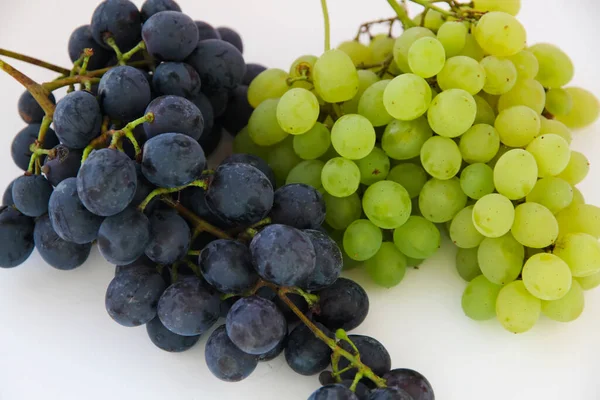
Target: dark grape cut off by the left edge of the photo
column 16, row 237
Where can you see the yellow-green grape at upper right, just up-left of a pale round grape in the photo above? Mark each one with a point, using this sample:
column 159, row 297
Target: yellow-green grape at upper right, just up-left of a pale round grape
column 517, row 126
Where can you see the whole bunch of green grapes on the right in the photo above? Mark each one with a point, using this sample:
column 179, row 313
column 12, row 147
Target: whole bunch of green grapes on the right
column 458, row 125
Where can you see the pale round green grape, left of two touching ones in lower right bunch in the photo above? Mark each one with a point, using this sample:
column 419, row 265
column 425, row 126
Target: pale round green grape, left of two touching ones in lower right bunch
column 493, row 215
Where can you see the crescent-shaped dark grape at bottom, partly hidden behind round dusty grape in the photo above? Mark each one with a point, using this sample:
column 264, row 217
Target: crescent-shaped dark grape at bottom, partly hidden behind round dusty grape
column 225, row 360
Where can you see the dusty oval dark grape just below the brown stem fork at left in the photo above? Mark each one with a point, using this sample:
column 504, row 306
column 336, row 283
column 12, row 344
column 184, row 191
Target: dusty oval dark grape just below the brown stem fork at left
column 77, row 119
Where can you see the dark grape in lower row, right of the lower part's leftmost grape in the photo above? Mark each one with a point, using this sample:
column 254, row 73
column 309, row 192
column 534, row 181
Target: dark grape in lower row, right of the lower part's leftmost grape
column 188, row 307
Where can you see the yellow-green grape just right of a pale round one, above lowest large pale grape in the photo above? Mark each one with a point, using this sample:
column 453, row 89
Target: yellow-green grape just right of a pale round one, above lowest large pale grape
column 534, row 226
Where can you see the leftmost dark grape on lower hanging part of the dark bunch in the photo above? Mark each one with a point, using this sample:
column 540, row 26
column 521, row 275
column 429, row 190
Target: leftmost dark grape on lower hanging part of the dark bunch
column 132, row 296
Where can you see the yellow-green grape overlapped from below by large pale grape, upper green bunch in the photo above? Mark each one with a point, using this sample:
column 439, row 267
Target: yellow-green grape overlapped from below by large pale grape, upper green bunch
column 461, row 72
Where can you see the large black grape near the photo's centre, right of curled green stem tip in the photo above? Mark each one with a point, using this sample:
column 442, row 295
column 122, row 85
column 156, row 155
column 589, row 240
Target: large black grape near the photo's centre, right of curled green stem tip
column 240, row 194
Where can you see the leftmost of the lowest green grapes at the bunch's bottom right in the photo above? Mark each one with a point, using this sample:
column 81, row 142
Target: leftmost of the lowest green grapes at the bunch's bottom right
column 479, row 299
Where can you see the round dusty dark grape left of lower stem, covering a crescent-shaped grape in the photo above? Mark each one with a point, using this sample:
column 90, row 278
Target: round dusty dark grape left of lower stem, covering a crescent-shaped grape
column 255, row 325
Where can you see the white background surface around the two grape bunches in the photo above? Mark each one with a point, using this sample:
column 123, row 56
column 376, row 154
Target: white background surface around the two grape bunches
column 57, row 341
